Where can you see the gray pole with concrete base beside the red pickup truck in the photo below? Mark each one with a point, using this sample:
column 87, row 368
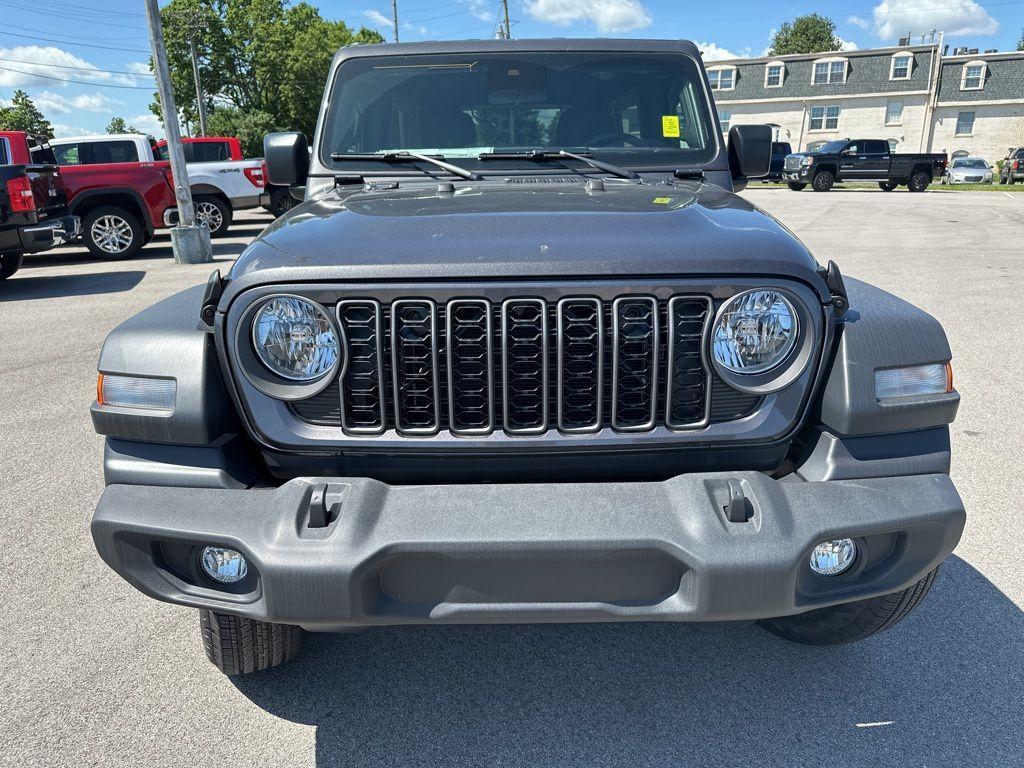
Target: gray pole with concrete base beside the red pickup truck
column 190, row 241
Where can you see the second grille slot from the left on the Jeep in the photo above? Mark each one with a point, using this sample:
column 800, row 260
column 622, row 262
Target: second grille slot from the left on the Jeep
column 414, row 366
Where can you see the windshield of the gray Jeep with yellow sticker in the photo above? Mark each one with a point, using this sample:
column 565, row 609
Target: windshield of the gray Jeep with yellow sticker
column 629, row 109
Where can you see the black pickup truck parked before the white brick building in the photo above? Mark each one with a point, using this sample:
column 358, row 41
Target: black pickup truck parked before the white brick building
column 862, row 160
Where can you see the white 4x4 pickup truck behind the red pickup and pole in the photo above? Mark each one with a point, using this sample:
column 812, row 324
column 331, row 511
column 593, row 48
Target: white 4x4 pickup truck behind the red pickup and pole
column 220, row 187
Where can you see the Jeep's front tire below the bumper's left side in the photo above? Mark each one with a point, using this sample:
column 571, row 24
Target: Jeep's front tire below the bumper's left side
column 238, row 647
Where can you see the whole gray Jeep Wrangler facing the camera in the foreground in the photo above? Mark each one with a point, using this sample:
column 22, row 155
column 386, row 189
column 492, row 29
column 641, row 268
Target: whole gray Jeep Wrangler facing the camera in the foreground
column 523, row 355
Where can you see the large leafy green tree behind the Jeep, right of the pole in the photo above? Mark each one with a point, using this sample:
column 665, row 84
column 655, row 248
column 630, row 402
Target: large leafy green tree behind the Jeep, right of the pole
column 261, row 62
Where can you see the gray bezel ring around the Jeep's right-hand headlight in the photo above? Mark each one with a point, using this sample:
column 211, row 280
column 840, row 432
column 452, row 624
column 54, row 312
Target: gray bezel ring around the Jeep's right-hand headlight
column 782, row 372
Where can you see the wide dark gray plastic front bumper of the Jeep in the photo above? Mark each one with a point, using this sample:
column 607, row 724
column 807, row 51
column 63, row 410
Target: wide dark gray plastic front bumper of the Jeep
column 654, row 551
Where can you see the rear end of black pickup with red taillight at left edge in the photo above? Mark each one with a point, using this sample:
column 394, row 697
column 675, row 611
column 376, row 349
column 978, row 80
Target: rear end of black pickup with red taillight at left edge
column 33, row 205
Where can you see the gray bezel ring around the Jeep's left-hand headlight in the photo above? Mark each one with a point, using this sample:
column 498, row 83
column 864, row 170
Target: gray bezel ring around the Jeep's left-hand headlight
column 275, row 383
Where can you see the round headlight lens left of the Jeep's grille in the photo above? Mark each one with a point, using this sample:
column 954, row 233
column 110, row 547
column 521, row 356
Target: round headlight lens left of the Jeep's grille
column 295, row 338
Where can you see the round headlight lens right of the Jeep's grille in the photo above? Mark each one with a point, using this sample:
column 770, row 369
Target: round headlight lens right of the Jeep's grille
column 755, row 331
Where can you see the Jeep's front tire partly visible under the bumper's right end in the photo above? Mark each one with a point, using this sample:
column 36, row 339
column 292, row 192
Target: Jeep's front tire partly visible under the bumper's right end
column 851, row 622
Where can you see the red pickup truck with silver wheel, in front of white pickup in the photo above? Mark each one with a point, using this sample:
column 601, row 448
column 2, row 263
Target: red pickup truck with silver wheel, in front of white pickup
column 121, row 204
